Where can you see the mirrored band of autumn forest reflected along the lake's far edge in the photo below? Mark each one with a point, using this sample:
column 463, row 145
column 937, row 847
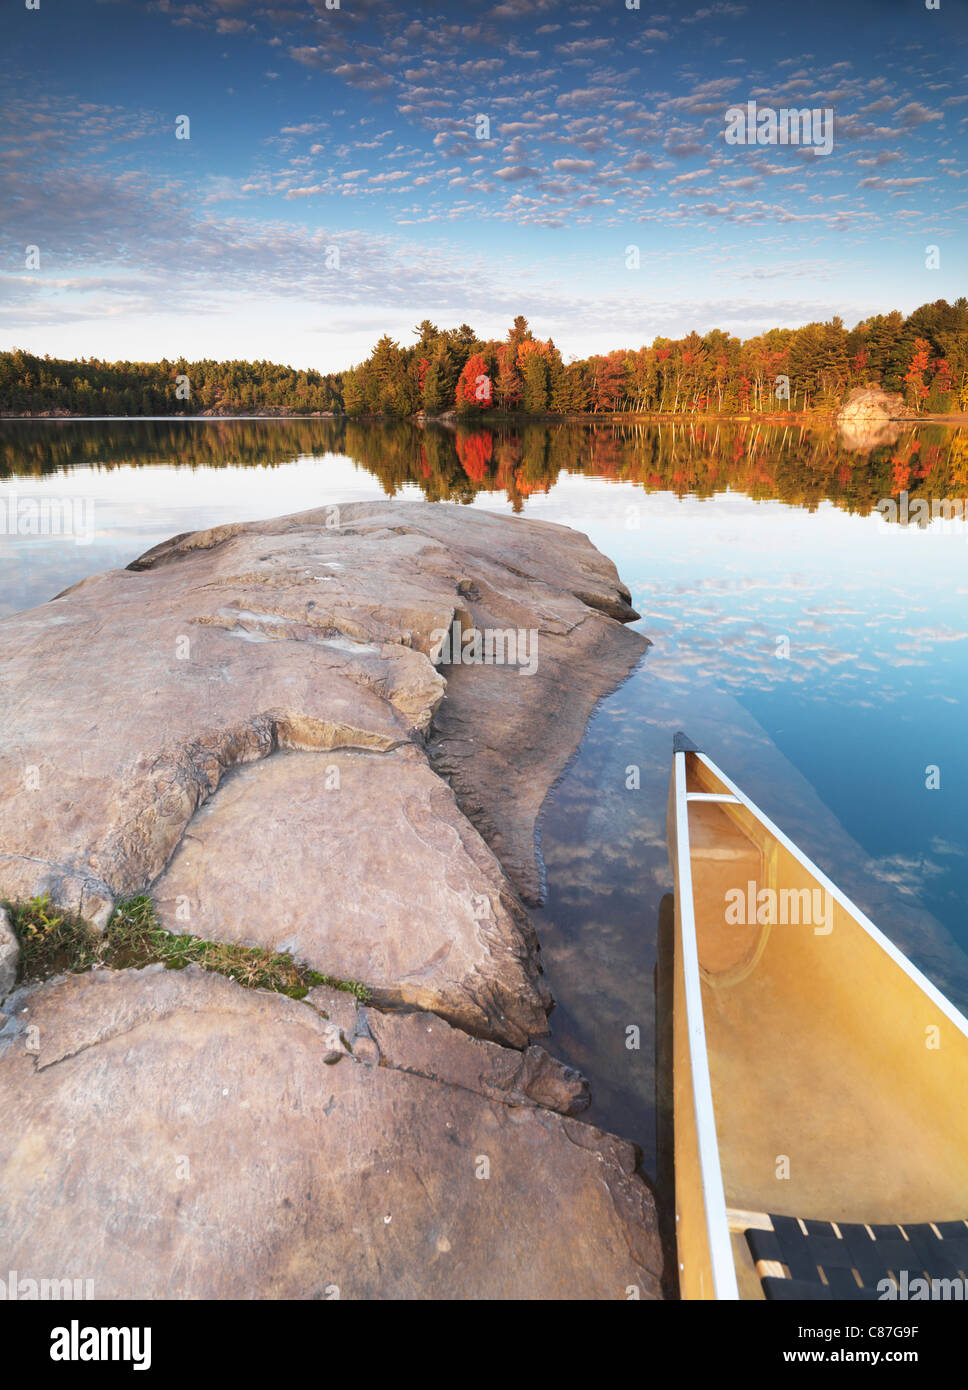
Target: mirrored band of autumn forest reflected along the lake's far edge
column 791, row 464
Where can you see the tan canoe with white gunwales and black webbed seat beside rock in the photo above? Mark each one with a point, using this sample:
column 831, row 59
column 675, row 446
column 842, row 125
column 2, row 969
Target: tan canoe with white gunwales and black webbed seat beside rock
column 820, row 1079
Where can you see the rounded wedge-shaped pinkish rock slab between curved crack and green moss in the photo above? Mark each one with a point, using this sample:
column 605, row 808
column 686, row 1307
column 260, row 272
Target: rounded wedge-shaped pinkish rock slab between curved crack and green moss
column 364, row 867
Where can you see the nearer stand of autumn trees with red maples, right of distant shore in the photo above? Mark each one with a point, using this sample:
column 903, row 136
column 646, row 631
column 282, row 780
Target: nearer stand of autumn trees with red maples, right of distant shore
column 924, row 358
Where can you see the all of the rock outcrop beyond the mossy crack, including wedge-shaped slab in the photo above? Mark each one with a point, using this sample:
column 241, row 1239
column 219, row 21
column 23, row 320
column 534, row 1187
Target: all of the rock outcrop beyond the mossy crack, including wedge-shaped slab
column 129, row 700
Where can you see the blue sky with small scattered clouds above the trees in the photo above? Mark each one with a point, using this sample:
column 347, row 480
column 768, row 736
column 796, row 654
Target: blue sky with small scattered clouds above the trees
column 334, row 186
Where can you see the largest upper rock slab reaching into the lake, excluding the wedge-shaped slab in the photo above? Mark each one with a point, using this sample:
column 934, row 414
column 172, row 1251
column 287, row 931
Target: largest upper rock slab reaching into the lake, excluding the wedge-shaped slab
column 127, row 700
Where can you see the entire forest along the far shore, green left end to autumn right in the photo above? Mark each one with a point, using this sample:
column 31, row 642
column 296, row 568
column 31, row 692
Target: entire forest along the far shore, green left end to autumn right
column 923, row 357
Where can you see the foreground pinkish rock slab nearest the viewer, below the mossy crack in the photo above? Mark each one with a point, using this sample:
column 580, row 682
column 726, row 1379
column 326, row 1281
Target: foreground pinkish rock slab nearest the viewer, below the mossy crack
column 181, row 1138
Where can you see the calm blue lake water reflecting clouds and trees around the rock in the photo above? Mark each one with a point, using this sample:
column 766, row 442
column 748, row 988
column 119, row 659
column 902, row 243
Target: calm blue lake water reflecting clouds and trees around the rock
column 741, row 544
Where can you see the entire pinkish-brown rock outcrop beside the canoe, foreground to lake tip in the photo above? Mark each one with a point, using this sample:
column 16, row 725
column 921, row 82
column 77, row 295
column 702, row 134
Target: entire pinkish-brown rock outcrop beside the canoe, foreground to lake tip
column 252, row 726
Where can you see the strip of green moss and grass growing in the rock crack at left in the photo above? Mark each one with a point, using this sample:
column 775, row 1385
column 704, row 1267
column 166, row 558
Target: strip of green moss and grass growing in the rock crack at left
column 54, row 942
